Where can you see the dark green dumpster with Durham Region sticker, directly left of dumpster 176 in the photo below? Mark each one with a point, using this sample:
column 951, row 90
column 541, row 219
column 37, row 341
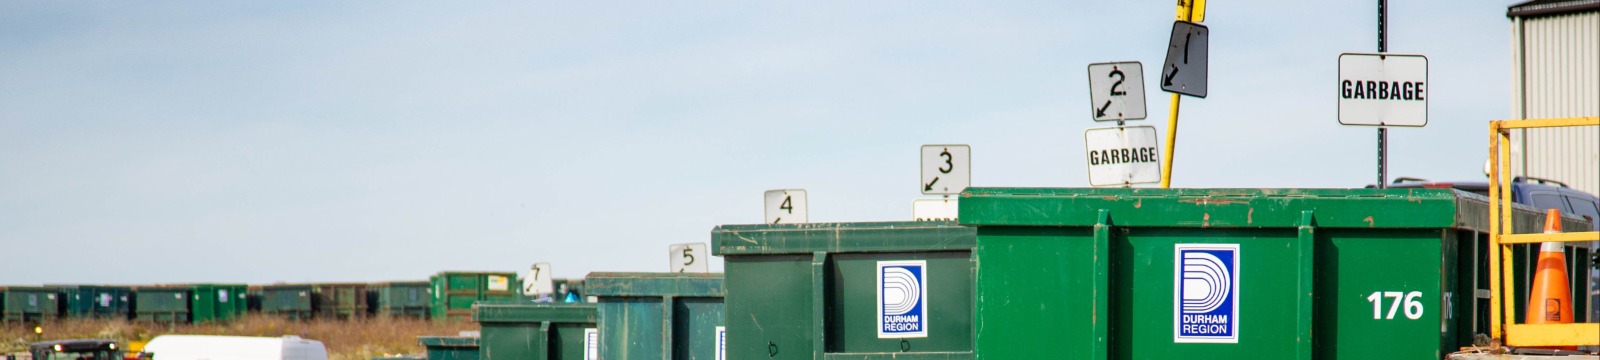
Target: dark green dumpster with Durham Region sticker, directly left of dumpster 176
column 858, row 290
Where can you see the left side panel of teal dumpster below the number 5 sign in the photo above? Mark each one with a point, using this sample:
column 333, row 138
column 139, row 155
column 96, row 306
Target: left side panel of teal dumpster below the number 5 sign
column 633, row 329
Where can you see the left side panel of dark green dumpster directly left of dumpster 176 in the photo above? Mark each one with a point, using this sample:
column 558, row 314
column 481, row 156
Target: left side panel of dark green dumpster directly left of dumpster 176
column 772, row 300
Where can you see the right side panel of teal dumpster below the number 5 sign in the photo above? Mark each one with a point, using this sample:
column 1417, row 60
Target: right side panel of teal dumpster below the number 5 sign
column 695, row 327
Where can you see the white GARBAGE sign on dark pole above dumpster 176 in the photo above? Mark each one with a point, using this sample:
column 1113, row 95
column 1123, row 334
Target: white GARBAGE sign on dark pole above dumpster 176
column 1383, row 90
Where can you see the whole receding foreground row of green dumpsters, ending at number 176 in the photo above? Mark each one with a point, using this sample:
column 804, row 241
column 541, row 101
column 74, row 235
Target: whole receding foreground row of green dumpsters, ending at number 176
column 1058, row 274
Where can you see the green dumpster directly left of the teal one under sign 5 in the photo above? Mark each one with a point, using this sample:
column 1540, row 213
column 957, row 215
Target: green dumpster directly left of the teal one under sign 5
column 538, row 330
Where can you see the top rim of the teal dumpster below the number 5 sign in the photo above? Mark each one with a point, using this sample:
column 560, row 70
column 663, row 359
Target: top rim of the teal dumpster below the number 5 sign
column 655, row 284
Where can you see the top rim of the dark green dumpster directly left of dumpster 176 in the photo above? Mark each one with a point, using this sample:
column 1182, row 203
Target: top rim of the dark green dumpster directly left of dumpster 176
column 842, row 238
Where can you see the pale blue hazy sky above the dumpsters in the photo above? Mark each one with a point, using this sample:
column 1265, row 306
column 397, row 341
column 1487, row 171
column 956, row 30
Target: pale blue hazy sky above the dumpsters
column 362, row 142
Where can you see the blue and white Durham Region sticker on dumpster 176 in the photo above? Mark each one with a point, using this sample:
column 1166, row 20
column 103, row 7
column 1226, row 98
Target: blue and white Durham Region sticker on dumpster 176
column 1206, row 298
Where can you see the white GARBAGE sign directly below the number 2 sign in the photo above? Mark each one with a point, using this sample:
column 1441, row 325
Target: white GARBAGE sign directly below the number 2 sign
column 1122, row 156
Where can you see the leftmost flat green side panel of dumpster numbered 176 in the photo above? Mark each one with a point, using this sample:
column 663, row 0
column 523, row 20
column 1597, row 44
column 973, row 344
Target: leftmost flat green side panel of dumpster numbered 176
column 1047, row 276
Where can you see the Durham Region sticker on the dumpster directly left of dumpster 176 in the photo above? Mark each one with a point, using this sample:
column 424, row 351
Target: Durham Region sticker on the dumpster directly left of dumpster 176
column 903, row 300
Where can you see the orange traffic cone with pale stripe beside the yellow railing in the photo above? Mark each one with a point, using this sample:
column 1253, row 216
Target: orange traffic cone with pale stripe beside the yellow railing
column 1550, row 300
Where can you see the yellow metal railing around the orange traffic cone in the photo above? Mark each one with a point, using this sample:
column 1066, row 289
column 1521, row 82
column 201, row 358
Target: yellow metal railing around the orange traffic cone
column 1503, row 305
